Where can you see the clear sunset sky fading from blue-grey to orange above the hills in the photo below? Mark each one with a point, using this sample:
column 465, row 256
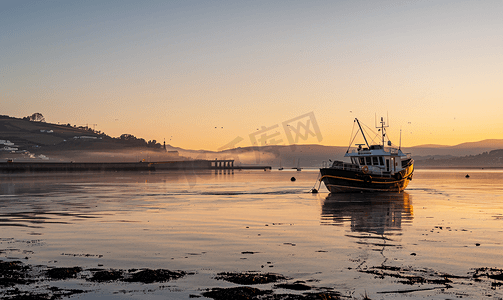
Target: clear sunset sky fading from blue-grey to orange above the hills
column 218, row 74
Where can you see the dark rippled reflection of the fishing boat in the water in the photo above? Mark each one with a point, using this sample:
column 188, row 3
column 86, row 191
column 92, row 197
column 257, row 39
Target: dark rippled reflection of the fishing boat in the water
column 378, row 213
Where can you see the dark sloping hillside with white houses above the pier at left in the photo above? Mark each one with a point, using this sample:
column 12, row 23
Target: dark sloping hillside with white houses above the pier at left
column 35, row 139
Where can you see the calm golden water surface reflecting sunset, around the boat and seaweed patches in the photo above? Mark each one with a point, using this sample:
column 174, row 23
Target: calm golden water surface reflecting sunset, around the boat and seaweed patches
column 256, row 221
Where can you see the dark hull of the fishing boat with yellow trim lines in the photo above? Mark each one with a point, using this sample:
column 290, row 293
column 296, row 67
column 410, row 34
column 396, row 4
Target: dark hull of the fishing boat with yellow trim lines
column 343, row 181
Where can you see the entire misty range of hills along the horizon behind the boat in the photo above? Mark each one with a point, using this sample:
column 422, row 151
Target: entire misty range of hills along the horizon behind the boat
column 65, row 142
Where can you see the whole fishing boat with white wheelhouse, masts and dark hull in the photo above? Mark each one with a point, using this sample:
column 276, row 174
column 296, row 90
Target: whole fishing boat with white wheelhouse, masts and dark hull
column 380, row 167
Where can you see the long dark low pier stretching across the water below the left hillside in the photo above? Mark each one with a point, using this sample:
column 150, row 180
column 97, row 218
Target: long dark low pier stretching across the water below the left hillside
column 14, row 166
